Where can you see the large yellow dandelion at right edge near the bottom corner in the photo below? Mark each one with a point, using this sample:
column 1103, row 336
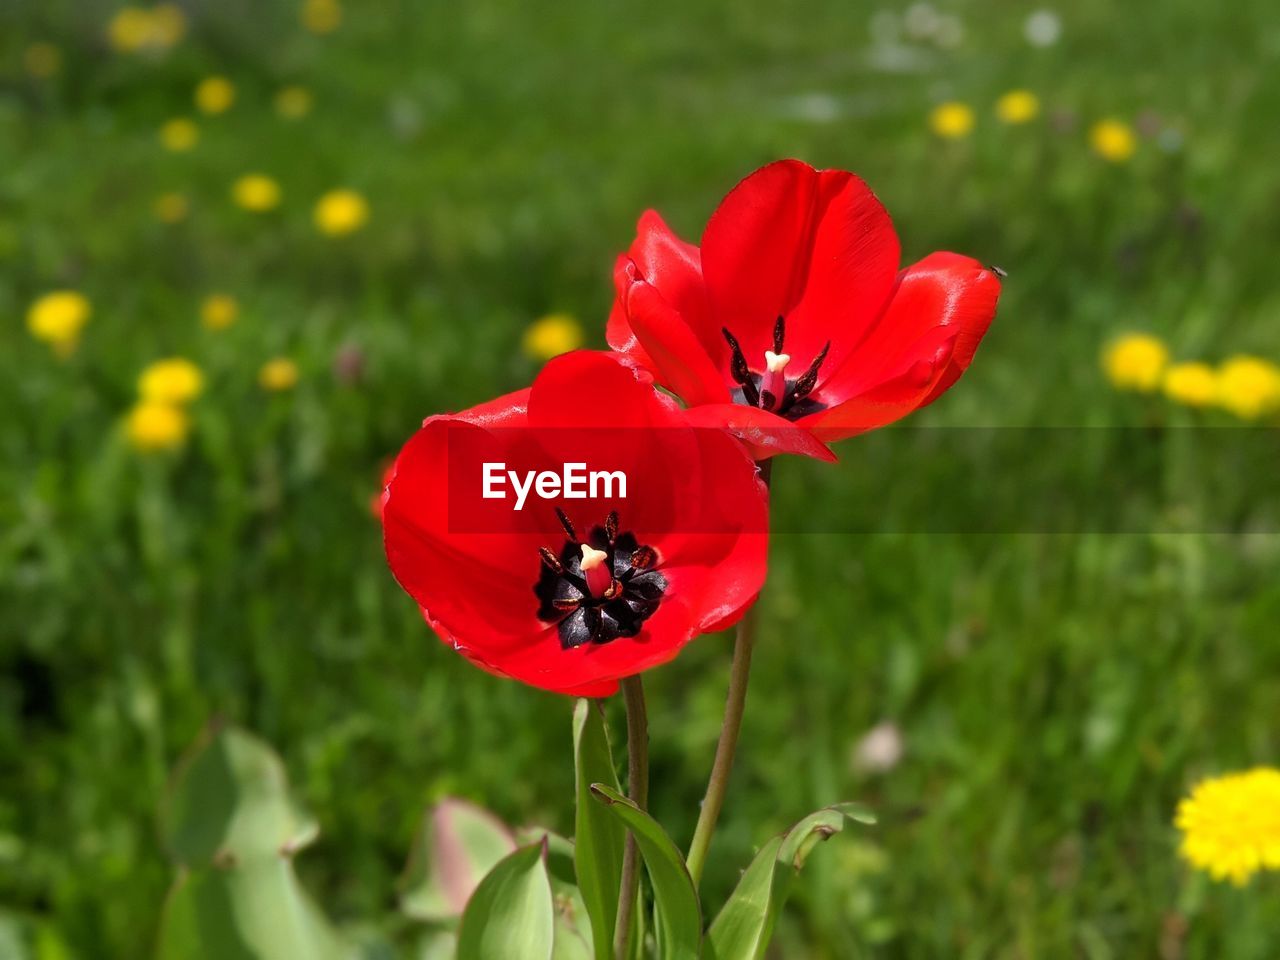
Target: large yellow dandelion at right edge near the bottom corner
column 1231, row 825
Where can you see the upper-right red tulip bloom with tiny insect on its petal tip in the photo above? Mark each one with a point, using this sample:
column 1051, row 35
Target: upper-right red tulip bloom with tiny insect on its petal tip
column 793, row 324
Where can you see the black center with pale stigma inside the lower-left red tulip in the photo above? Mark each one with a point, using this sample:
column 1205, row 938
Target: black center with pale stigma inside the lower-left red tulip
column 628, row 587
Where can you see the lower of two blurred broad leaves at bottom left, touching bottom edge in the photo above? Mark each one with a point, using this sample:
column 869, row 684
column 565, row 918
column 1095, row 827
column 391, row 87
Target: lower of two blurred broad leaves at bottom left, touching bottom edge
column 254, row 911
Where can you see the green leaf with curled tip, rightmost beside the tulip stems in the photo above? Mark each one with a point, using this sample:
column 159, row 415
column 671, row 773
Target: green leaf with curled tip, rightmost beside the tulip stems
column 743, row 929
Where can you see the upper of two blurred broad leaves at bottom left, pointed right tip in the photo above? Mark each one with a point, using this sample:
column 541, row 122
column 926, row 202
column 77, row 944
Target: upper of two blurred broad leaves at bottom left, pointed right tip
column 231, row 802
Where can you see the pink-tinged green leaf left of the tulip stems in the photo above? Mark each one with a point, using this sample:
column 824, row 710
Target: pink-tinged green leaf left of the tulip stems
column 455, row 848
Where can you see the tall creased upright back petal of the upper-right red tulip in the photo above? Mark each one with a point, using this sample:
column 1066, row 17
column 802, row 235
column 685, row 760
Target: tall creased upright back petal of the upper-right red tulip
column 816, row 248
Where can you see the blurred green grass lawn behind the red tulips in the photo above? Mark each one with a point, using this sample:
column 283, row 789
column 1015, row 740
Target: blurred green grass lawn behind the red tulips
column 1058, row 692
